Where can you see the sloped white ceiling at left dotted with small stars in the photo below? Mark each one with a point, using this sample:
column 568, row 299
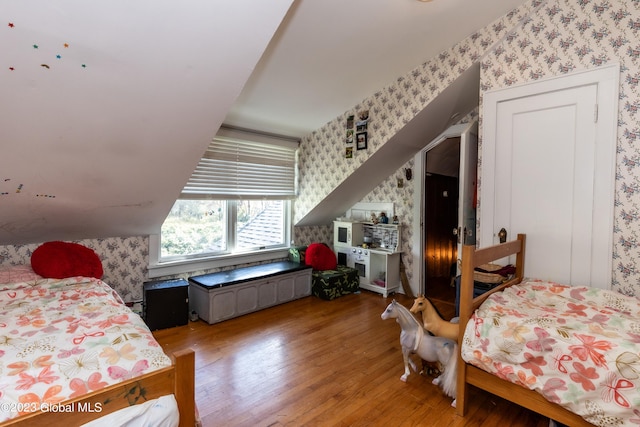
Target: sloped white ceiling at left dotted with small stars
column 108, row 105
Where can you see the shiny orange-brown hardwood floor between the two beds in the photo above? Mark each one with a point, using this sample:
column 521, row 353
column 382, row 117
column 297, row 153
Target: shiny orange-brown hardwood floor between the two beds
column 321, row 363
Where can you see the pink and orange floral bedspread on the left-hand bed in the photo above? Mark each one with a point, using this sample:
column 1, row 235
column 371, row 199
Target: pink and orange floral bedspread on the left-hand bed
column 60, row 339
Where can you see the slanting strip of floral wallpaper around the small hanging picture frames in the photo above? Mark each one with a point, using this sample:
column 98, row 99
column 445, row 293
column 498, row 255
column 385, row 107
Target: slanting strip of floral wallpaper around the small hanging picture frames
column 389, row 109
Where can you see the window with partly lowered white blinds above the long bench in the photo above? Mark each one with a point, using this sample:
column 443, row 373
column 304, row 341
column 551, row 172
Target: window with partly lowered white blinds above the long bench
column 236, row 201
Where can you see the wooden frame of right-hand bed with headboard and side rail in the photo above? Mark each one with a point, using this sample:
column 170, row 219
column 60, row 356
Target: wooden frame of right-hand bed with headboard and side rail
column 471, row 375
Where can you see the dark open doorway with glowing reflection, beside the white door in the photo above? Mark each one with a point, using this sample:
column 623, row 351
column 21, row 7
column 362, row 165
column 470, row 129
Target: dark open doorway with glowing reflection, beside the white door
column 441, row 220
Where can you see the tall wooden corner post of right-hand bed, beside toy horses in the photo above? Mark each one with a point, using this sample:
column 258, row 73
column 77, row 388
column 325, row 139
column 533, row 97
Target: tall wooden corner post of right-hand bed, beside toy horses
column 466, row 298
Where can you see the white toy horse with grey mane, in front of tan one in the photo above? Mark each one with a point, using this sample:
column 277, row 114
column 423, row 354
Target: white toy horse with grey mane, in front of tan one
column 415, row 340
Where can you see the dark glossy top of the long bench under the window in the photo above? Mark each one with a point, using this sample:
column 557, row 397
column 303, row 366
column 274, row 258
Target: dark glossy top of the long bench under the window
column 246, row 274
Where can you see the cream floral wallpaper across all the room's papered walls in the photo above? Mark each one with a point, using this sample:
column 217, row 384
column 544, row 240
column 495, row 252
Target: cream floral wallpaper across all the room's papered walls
column 538, row 40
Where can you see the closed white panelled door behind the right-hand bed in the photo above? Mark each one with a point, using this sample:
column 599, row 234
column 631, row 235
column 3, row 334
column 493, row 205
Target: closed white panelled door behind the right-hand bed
column 544, row 190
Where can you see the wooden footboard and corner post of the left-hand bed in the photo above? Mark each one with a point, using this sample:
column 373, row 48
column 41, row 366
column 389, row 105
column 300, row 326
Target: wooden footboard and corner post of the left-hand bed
column 177, row 379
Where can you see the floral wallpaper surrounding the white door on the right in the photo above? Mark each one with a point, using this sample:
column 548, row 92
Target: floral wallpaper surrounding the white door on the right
column 564, row 36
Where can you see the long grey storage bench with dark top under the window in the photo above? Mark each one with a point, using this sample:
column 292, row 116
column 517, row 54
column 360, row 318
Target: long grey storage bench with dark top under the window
column 232, row 293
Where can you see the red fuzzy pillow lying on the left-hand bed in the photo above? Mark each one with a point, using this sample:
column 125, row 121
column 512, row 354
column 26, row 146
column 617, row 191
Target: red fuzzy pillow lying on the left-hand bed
column 64, row 259
